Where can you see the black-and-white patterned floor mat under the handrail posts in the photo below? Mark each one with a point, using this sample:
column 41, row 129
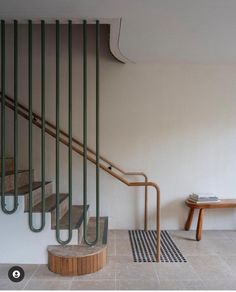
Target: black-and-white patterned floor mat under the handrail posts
column 143, row 245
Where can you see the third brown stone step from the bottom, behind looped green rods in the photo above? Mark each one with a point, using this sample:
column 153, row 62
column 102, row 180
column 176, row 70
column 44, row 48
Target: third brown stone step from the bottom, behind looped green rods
column 77, row 218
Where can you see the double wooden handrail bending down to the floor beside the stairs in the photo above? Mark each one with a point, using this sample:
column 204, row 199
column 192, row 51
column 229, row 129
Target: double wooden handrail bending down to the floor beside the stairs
column 10, row 104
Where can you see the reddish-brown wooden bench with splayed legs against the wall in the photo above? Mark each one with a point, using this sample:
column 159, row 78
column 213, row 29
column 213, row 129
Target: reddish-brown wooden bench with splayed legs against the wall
column 227, row 203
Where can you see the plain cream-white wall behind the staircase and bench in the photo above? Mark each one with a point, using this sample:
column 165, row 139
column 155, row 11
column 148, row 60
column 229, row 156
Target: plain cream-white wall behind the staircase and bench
column 175, row 122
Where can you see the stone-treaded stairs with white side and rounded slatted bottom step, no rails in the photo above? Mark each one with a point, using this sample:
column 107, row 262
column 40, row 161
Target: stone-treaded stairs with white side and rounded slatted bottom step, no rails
column 74, row 259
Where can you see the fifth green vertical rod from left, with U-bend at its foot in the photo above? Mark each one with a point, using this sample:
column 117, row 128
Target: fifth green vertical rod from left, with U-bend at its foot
column 58, row 138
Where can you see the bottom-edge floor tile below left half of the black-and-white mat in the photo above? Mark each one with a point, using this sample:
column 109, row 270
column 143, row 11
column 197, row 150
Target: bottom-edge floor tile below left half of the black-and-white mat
column 137, row 284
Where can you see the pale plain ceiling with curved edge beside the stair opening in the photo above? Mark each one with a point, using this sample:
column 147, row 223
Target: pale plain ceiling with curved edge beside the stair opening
column 179, row 31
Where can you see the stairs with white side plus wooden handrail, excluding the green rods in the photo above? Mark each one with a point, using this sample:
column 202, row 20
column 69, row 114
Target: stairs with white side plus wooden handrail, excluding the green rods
column 47, row 237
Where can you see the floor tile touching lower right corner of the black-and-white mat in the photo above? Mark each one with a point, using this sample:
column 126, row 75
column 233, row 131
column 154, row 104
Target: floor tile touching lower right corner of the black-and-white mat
column 211, row 267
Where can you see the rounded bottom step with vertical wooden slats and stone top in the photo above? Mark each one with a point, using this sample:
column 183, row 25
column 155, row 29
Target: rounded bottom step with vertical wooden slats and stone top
column 72, row 260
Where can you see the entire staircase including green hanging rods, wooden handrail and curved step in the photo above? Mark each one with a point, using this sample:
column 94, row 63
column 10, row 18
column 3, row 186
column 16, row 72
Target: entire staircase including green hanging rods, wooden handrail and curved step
column 81, row 250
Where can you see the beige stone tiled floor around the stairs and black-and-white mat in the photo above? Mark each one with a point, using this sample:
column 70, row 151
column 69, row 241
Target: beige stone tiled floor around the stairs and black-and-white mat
column 211, row 265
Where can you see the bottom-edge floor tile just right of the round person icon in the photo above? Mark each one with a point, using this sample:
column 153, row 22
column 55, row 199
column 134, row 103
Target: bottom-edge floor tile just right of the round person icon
column 48, row 285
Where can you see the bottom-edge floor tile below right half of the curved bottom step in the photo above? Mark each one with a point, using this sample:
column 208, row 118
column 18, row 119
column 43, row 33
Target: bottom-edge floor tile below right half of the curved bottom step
column 94, row 285
